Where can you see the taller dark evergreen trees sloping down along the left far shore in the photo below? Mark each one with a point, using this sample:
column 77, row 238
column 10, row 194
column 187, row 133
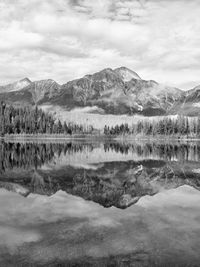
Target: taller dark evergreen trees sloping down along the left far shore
column 28, row 120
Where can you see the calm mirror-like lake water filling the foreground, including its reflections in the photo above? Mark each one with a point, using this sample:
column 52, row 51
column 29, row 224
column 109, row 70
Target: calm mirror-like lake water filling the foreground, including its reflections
column 99, row 204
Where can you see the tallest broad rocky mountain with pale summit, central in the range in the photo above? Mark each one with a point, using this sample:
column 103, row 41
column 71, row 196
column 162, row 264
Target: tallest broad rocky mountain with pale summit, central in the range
column 117, row 92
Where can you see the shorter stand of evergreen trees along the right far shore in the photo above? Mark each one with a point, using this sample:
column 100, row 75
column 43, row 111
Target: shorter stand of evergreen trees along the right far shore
column 179, row 125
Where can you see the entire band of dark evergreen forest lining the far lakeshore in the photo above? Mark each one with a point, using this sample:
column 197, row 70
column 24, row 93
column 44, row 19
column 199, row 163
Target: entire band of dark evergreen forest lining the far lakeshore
column 27, row 120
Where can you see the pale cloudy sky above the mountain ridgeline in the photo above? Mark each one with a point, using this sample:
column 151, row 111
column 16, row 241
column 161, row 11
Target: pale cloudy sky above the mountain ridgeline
column 66, row 39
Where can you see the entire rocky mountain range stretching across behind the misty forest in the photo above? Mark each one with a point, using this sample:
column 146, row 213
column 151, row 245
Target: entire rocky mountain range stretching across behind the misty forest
column 110, row 91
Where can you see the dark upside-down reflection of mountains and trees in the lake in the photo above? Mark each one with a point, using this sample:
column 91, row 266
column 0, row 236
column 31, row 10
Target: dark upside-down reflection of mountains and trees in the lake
column 111, row 174
